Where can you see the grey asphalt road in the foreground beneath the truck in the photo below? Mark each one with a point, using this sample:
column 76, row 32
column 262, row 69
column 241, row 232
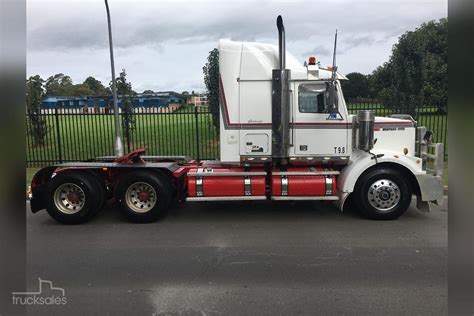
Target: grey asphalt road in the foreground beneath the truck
column 246, row 258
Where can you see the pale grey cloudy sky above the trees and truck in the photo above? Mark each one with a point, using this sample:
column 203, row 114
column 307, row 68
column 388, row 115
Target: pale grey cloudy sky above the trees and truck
column 164, row 44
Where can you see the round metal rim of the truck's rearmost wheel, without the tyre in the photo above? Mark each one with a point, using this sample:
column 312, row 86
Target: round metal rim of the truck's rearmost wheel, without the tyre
column 69, row 198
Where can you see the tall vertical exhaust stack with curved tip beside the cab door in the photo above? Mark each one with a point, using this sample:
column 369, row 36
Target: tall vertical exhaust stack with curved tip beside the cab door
column 281, row 102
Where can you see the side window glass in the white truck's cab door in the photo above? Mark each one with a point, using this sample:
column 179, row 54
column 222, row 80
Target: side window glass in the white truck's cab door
column 311, row 98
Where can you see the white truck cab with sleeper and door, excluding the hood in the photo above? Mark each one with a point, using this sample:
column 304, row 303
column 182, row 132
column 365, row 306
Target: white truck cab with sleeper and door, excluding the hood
column 246, row 106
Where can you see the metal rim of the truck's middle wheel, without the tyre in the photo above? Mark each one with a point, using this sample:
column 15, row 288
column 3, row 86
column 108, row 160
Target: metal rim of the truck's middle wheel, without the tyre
column 140, row 197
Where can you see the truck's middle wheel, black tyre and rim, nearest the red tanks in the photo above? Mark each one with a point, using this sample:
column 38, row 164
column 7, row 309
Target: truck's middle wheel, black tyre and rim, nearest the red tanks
column 144, row 197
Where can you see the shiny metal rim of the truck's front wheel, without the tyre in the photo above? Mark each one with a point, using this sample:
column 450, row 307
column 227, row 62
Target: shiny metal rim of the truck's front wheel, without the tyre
column 384, row 195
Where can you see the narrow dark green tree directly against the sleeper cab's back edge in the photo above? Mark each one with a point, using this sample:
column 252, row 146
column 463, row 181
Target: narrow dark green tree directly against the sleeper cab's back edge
column 211, row 79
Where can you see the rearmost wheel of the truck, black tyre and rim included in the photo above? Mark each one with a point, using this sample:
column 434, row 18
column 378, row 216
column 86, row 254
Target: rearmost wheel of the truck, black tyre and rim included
column 73, row 197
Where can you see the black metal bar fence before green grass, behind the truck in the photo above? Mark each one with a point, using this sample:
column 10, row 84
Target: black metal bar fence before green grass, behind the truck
column 72, row 135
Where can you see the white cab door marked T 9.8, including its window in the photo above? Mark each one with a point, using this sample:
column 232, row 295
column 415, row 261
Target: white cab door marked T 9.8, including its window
column 316, row 132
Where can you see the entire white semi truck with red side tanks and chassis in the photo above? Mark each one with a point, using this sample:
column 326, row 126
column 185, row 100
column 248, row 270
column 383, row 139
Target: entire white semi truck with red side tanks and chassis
column 285, row 134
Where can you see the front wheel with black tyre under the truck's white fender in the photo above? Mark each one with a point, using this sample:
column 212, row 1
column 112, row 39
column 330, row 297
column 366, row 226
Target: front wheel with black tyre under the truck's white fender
column 383, row 194
